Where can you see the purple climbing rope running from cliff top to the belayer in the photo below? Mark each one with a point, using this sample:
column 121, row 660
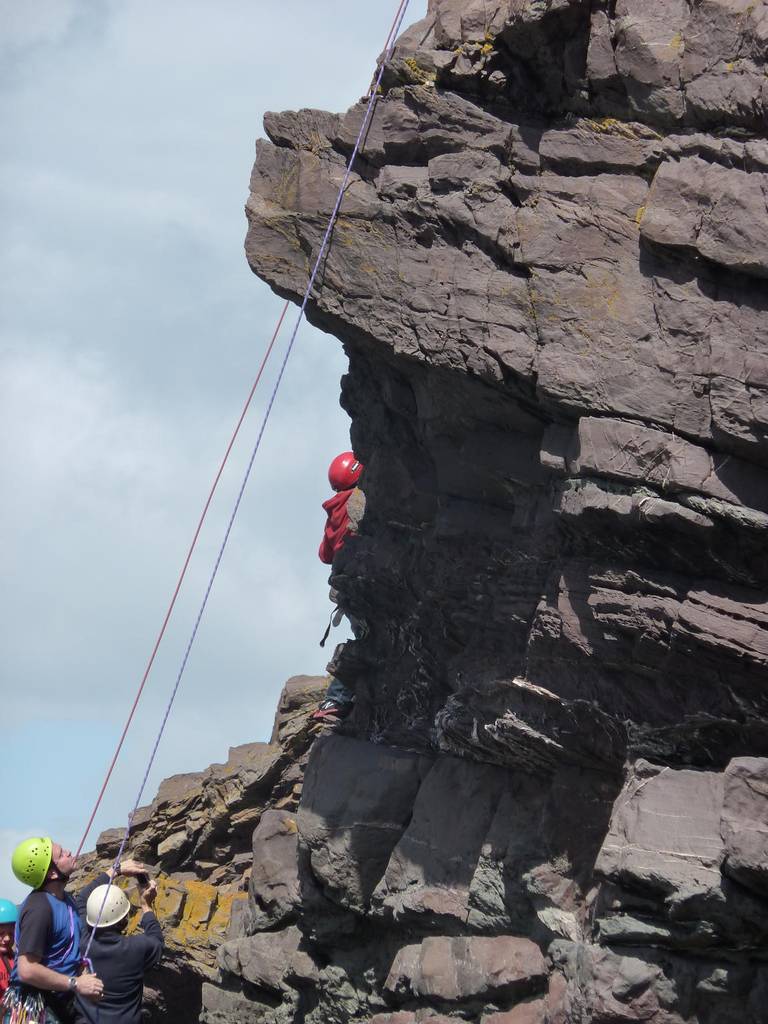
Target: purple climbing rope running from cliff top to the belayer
column 394, row 32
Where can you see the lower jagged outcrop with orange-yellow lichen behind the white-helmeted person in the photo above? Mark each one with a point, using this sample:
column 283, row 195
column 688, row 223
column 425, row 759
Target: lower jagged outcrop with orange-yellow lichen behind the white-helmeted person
column 198, row 838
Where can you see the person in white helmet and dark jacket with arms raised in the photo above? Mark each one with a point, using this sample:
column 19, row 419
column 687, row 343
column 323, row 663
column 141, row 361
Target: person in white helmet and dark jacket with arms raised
column 120, row 961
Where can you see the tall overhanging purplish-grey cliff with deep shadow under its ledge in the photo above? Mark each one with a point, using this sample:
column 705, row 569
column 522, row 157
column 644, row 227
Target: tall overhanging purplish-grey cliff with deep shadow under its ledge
column 549, row 277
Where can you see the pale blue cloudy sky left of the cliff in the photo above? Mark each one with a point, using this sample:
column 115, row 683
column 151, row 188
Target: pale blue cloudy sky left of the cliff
column 131, row 331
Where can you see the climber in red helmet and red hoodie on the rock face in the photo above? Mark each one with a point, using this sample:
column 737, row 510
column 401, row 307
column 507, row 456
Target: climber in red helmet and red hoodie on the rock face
column 344, row 516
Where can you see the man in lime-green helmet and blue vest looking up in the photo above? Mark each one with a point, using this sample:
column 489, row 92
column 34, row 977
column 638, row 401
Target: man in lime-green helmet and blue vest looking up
column 47, row 973
